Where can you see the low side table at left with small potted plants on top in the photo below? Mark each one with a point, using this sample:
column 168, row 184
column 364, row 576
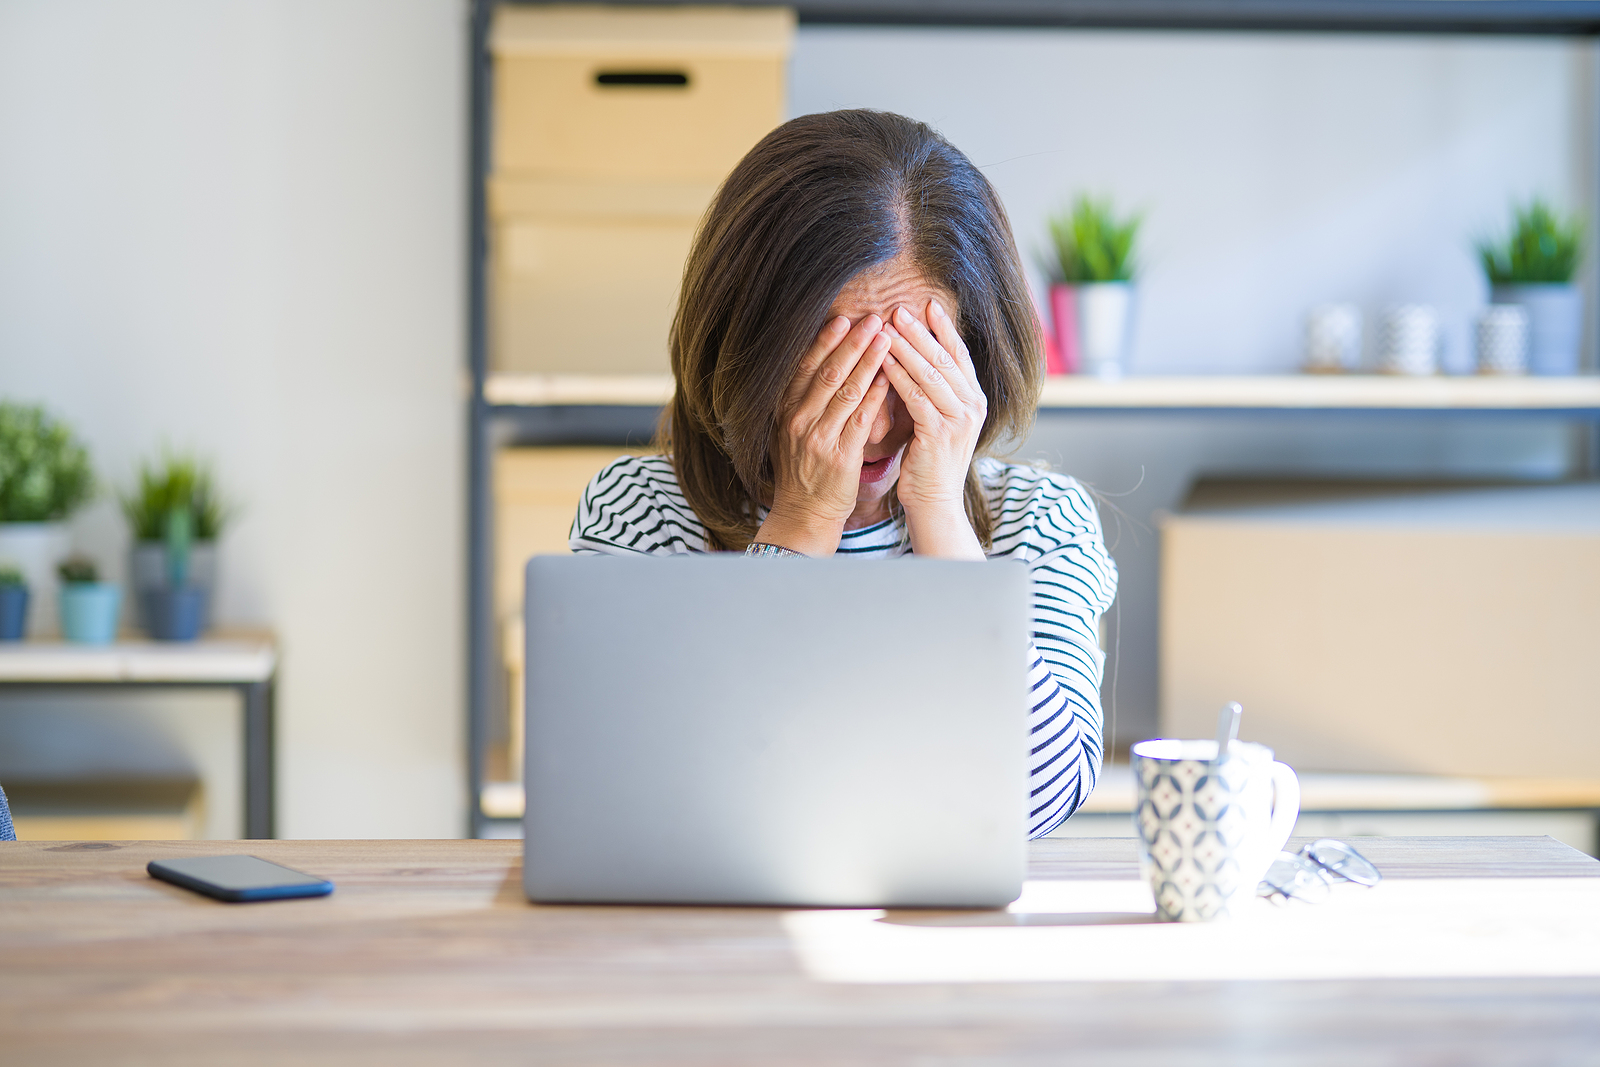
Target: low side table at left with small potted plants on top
column 244, row 663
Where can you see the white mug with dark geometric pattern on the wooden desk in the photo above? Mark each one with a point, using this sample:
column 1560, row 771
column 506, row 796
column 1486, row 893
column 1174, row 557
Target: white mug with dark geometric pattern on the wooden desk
column 1210, row 829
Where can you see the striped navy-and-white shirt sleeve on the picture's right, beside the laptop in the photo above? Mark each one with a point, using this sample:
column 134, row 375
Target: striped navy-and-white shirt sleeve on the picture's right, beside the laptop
column 1050, row 522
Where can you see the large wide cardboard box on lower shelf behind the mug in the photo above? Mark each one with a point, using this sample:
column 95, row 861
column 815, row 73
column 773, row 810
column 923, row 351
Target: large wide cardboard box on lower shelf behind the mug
column 1447, row 631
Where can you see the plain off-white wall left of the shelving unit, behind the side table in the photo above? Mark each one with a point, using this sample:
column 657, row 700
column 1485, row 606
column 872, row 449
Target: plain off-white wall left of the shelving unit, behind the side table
column 239, row 228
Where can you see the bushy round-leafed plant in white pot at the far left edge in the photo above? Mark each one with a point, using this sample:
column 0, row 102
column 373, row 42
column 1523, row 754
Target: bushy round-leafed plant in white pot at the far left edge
column 44, row 478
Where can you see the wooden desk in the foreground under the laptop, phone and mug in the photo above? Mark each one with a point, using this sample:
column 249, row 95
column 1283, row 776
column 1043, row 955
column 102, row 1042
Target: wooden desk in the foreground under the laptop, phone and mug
column 428, row 954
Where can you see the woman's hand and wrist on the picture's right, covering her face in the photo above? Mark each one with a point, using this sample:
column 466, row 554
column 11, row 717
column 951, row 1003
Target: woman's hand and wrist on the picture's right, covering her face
column 937, row 382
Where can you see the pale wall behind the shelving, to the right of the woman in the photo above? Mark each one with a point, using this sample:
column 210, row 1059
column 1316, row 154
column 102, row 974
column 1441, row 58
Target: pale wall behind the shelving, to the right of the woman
column 1278, row 172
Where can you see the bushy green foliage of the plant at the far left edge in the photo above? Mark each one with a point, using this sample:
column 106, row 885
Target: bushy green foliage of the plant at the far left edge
column 44, row 471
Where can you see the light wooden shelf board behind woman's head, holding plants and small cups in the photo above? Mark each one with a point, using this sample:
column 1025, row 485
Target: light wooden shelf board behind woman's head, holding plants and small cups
column 1286, row 393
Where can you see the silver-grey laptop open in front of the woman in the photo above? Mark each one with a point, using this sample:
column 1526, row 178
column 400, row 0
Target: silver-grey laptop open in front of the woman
column 823, row 733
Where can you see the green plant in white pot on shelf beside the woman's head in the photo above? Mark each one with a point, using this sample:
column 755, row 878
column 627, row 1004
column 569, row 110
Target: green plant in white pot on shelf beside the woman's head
column 1092, row 294
